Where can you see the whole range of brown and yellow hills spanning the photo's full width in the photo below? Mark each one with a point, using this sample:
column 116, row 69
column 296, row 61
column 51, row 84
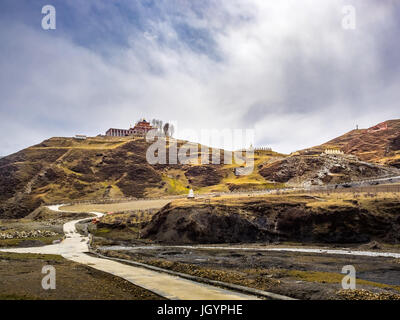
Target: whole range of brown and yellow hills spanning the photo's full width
column 68, row 169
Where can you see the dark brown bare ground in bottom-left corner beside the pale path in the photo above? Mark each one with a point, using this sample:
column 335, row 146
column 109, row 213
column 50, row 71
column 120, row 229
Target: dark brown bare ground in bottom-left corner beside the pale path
column 21, row 276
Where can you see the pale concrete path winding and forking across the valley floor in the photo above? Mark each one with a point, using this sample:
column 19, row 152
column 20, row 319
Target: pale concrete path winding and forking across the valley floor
column 75, row 247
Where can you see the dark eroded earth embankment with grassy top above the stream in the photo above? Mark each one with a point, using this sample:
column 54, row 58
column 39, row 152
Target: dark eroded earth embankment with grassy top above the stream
column 270, row 221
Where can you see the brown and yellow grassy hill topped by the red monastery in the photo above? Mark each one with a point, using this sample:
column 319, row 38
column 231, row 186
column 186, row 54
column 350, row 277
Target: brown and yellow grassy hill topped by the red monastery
column 64, row 169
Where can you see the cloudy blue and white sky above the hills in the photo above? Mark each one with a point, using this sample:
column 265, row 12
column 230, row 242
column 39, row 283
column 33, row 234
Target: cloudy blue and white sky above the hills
column 286, row 69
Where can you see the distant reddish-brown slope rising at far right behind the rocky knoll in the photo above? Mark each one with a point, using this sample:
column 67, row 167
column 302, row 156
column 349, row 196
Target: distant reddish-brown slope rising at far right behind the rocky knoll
column 379, row 144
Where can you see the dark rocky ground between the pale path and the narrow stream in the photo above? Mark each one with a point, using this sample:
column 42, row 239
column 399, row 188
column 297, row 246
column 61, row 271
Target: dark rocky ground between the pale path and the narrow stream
column 298, row 275
